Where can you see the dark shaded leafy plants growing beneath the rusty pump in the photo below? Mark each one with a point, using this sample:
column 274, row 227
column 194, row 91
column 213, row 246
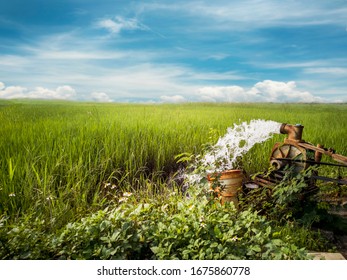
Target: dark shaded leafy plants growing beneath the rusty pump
column 292, row 211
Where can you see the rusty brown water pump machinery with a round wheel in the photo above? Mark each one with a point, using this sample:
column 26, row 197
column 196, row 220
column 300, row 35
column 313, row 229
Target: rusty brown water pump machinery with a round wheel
column 294, row 152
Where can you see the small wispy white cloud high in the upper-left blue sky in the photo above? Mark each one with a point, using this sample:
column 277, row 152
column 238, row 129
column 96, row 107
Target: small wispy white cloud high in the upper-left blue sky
column 118, row 24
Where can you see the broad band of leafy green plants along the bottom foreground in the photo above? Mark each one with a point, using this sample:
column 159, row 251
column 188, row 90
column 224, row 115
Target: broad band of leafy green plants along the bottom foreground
column 172, row 229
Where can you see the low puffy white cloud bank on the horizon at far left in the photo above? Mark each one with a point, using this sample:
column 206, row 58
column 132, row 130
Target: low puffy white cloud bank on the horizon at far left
column 11, row 92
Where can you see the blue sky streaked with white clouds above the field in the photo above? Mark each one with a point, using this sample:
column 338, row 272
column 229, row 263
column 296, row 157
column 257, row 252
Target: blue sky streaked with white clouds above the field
column 174, row 51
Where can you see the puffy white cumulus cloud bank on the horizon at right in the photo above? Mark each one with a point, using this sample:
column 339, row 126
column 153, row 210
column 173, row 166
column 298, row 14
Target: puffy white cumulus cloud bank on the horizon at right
column 265, row 91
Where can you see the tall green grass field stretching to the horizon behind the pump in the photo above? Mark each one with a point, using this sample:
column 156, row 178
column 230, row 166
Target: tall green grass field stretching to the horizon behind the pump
column 62, row 160
